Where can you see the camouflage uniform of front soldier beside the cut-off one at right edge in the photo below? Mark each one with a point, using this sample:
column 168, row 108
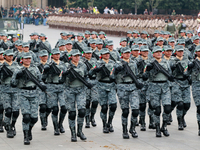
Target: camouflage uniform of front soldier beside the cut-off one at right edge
column 180, row 92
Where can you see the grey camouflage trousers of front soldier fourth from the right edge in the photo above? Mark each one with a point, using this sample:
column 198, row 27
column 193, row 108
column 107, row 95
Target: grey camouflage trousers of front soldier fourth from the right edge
column 128, row 95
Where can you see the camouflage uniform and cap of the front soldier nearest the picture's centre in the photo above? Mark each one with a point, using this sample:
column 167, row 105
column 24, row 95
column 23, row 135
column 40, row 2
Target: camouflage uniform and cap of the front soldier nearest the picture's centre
column 107, row 93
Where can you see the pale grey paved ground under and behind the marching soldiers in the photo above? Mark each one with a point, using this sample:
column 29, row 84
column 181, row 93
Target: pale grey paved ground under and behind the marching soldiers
column 45, row 140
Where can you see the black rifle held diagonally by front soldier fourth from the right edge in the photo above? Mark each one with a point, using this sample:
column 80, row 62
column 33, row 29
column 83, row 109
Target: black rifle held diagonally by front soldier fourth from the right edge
column 130, row 73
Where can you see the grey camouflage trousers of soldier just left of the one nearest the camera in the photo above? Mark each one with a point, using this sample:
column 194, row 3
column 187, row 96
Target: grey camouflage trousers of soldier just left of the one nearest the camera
column 10, row 101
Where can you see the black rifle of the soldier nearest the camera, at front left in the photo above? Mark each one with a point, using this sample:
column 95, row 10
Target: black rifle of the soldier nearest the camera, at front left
column 32, row 78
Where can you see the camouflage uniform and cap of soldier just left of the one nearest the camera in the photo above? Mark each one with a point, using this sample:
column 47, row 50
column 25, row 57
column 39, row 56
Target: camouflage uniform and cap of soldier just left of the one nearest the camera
column 10, row 99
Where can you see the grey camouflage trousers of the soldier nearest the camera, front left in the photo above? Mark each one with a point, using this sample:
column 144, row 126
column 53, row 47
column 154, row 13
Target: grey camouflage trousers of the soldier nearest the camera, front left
column 29, row 106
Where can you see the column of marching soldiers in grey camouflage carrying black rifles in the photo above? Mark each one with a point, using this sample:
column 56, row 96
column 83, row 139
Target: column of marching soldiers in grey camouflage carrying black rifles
column 78, row 75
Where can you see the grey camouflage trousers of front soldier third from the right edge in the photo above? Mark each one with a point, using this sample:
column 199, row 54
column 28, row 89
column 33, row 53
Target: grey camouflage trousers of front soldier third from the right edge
column 158, row 93
